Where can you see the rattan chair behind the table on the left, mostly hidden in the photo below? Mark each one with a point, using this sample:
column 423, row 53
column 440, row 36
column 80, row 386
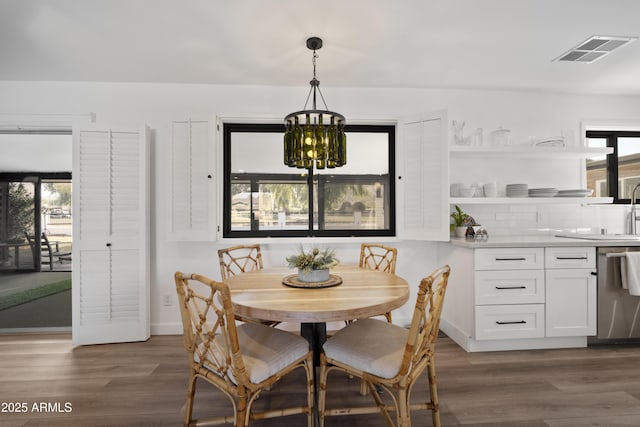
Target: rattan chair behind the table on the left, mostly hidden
column 240, row 259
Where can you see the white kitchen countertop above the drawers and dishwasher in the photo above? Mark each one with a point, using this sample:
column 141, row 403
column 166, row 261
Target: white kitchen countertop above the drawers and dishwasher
column 536, row 240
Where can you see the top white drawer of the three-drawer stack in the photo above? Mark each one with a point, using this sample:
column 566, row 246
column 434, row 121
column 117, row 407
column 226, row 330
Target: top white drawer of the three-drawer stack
column 509, row 259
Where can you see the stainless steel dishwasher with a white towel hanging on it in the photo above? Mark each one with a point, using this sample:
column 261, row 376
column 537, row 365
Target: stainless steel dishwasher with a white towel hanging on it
column 618, row 312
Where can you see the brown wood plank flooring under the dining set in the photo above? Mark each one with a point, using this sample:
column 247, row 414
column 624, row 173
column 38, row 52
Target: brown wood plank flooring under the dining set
column 144, row 384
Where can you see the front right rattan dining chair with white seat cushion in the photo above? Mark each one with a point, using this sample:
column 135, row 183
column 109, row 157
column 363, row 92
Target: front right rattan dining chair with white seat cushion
column 390, row 357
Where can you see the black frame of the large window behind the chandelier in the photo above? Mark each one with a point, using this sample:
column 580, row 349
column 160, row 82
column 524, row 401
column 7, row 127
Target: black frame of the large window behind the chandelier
column 228, row 178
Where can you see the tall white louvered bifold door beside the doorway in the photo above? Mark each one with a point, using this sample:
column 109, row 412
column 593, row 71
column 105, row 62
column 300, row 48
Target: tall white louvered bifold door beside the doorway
column 111, row 236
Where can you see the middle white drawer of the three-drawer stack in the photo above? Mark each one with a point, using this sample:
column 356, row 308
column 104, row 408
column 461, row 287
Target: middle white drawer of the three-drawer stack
column 509, row 287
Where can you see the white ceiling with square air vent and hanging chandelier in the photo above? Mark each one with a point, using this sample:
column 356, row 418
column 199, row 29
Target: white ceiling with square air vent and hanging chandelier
column 490, row 44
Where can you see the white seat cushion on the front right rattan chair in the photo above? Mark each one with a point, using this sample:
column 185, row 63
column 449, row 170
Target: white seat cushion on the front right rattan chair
column 369, row 345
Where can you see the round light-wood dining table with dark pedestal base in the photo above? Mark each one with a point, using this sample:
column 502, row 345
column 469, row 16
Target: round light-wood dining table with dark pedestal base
column 261, row 294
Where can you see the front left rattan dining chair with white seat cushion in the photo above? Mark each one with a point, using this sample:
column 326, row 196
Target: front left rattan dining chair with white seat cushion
column 242, row 361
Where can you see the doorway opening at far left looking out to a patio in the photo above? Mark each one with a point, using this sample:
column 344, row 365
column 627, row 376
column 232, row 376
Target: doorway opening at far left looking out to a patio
column 35, row 232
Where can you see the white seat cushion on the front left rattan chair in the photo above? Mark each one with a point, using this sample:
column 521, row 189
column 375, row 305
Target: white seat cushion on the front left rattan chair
column 266, row 351
